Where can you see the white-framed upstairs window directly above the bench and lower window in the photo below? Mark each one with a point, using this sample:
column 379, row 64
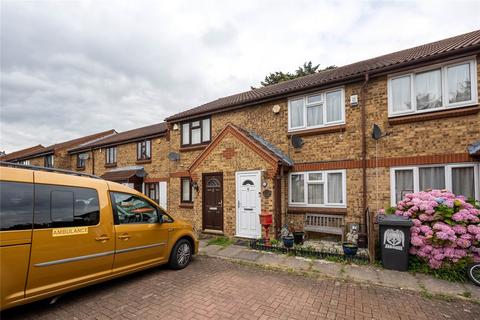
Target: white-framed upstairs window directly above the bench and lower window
column 317, row 110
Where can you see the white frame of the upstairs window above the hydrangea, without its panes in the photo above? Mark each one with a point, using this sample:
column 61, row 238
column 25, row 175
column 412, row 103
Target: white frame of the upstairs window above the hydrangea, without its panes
column 445, row 103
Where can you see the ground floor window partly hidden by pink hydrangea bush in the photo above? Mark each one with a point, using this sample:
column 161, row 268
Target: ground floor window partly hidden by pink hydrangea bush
column 461, row 179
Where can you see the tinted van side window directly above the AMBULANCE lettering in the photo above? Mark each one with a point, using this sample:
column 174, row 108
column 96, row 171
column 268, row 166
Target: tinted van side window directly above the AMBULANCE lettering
column 61, row 206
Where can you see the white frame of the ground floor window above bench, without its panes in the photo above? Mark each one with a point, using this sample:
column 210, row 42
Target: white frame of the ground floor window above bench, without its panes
column 324, row 181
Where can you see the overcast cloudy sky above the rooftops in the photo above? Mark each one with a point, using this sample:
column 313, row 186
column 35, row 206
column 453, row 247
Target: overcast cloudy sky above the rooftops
column 72, row 68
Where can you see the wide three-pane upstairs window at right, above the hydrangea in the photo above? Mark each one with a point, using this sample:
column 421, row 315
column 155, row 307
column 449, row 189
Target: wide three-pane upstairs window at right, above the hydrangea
column 441, row 87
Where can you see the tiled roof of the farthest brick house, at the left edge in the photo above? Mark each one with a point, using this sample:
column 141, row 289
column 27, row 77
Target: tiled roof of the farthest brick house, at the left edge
column 40, row 150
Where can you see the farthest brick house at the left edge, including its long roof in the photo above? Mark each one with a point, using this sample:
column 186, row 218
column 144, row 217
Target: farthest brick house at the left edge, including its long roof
column 53, row 156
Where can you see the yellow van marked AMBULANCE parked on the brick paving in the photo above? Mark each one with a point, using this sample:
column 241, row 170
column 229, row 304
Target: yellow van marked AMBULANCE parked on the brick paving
column 60, row 232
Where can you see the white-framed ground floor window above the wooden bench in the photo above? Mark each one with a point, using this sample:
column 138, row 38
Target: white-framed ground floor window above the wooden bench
column 318, row 188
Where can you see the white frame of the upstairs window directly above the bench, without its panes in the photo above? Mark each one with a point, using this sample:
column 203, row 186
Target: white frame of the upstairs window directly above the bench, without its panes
column 323, row 102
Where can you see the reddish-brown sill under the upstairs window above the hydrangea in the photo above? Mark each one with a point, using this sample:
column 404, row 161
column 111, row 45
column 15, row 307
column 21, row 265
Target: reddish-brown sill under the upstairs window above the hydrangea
column 434, row 115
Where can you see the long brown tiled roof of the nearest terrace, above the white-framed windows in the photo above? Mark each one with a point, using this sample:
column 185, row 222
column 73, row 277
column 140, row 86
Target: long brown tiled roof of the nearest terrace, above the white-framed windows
column 455, row 45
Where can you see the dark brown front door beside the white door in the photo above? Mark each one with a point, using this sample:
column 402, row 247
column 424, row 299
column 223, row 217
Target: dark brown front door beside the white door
column 213, row 201
